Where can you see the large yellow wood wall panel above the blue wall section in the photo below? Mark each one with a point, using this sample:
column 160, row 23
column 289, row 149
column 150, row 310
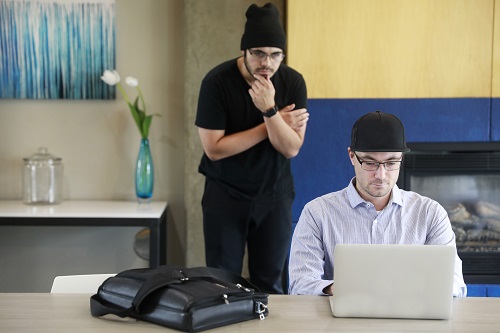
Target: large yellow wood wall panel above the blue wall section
column 393, row 48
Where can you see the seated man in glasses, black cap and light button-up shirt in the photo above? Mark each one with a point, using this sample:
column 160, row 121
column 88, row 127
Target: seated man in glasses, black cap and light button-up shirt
column 371, row 210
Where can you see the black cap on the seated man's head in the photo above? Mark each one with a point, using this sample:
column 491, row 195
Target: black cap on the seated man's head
column 378, row 132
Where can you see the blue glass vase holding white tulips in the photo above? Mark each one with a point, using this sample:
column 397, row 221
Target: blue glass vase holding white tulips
column 144, row 173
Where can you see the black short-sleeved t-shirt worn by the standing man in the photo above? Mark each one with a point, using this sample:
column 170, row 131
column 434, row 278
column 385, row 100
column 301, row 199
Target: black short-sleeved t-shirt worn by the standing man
column 260, row 173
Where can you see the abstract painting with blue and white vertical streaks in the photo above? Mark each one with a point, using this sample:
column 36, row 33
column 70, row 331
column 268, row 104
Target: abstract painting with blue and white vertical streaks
column 56, row 49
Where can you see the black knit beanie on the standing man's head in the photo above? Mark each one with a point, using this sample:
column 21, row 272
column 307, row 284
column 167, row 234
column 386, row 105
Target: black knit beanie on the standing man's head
column 263, row 28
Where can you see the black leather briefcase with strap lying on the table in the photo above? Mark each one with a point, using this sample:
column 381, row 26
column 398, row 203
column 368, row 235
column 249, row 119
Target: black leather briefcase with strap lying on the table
column 187, row 299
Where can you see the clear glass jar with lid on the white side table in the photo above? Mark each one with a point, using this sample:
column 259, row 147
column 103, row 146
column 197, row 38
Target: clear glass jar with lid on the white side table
column 42, row 178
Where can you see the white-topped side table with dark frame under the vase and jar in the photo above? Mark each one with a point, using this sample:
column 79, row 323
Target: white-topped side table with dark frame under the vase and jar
column 94, row 213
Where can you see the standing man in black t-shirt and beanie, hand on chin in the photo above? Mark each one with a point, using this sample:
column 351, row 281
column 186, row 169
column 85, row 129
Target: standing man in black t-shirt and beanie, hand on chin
column 251, row 120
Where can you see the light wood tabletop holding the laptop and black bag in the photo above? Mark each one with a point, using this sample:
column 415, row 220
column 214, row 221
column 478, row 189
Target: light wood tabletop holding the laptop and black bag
column 63, row 313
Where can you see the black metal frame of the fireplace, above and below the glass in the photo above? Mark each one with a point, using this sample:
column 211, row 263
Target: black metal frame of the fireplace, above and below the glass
column 431, row 158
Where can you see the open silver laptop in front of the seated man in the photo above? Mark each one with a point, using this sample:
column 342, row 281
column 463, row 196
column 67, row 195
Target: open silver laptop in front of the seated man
column 393, row 281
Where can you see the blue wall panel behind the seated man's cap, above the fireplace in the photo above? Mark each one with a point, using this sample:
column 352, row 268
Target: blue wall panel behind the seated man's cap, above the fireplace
column 322, row 165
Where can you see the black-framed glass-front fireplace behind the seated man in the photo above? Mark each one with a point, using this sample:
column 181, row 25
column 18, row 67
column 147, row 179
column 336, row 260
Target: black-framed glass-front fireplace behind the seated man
column 465, row 179
